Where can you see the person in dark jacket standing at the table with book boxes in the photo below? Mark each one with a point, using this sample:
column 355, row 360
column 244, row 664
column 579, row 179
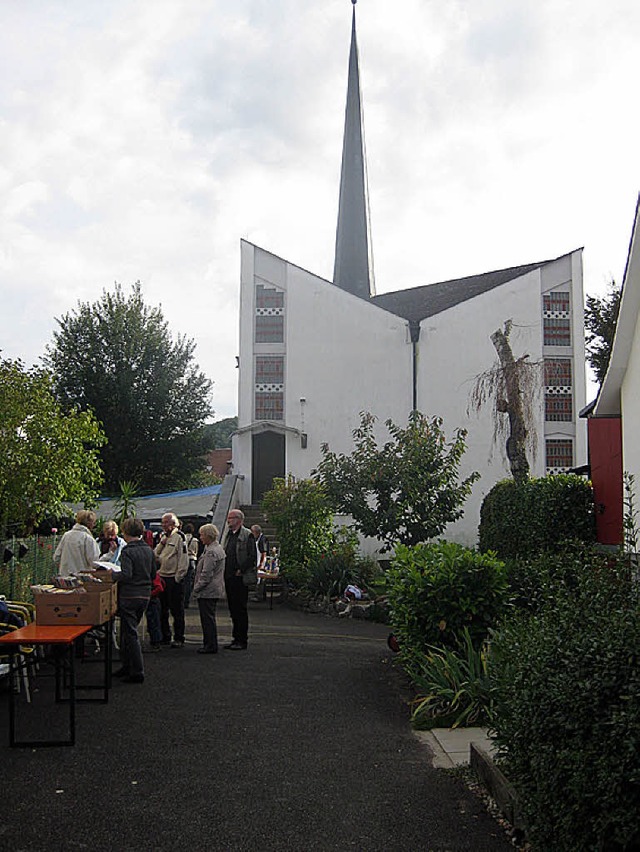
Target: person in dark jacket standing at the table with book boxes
column 138, row 568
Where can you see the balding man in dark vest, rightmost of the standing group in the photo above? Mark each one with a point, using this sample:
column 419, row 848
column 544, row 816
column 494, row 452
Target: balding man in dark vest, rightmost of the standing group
column 239, row 574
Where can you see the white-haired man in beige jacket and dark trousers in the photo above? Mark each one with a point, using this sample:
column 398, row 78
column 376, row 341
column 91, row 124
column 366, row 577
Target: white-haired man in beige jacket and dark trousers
column 173, row 564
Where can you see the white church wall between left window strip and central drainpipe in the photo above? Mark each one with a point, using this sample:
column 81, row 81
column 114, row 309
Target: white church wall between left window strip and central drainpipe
column 344, row 356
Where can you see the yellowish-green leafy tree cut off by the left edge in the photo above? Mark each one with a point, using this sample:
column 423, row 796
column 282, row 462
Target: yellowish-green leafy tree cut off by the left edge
column 48, row 456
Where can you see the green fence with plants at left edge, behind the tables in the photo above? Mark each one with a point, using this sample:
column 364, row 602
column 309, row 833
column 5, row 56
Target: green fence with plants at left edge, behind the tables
column 18, row 573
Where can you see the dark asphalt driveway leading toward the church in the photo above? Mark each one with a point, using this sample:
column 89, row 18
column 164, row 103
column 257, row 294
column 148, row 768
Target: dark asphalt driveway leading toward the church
column 300, row 743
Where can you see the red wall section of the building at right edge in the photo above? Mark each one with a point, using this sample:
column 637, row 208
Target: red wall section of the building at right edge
column 605, row 459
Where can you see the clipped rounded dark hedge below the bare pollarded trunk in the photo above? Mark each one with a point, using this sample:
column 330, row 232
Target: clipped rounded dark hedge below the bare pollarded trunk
column 536, row 516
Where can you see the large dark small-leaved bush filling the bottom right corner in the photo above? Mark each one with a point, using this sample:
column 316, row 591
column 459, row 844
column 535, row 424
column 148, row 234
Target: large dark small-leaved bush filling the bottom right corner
column 566, row 710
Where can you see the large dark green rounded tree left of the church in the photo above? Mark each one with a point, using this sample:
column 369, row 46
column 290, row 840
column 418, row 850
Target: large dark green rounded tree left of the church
column 117, row 358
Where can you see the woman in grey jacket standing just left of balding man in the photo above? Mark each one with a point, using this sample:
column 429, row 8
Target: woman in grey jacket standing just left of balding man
column 208, row 586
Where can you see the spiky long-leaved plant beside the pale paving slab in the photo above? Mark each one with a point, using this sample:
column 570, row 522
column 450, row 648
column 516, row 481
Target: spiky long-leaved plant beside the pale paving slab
column 453, row 686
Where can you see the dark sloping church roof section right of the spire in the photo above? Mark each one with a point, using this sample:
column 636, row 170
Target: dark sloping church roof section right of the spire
column 417, row 303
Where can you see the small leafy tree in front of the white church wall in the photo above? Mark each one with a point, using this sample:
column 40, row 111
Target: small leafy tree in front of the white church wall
column 405, row 491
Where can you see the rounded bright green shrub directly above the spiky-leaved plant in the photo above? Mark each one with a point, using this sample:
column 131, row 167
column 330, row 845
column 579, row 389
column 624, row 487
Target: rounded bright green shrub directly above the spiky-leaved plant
column 436, row 590
